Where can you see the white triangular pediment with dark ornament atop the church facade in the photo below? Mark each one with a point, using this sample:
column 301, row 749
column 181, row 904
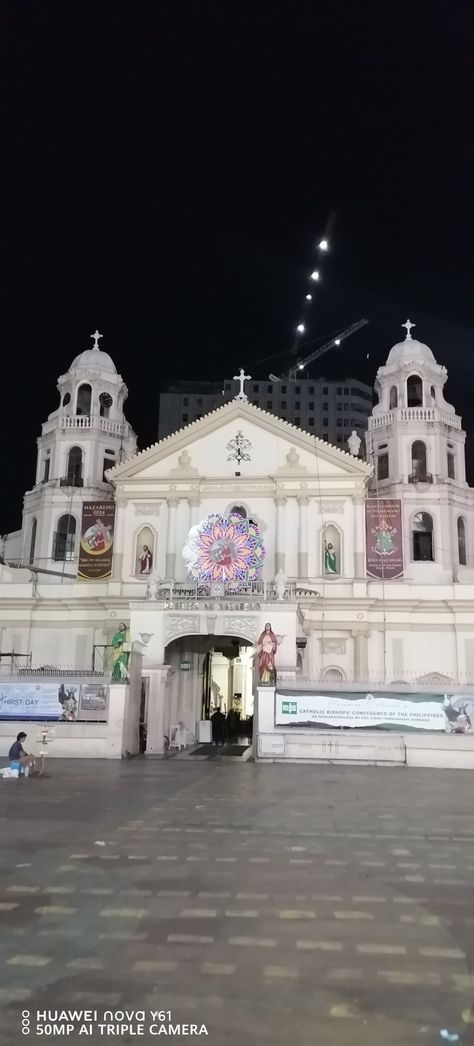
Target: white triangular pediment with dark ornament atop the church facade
column 212, row 448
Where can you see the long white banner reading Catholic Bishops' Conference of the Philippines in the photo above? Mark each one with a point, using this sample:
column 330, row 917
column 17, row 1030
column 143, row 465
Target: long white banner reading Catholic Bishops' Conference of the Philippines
column 452, row 714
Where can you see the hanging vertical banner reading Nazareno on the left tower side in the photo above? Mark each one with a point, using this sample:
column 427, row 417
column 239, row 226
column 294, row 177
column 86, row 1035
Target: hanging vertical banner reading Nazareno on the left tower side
column 97, row 541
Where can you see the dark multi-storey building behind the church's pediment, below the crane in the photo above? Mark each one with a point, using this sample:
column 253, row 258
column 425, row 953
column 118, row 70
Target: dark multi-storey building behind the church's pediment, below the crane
column 329, row 410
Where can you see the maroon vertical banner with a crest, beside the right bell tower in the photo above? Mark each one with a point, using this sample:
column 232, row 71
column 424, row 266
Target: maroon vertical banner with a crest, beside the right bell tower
column 383, row 538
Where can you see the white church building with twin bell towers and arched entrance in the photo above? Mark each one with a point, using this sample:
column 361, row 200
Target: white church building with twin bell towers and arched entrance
column 360, row 563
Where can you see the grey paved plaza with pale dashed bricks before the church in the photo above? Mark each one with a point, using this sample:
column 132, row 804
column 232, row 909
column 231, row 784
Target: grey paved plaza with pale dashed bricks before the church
column 278, row 904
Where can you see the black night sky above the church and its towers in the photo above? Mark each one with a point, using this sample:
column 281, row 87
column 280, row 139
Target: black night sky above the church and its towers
column 167, row 170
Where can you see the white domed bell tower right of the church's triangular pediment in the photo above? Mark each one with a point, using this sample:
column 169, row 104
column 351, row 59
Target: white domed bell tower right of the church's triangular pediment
column 417, row 445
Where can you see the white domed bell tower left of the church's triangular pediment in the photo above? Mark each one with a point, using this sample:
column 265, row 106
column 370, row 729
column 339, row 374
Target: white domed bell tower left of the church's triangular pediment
column 84, row 437
